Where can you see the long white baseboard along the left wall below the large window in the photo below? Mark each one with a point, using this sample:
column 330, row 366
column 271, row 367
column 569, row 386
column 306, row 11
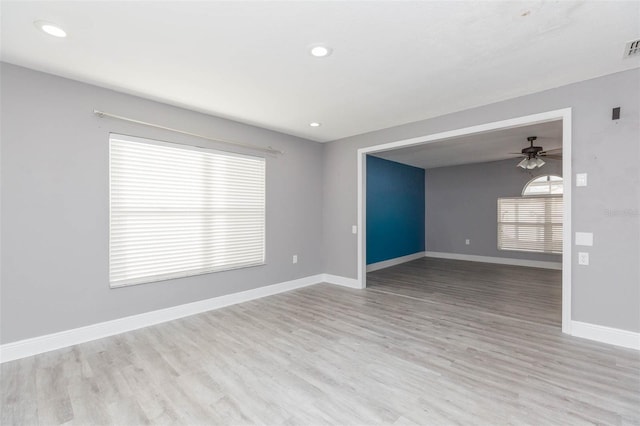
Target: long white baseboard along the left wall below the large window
column 50, row 342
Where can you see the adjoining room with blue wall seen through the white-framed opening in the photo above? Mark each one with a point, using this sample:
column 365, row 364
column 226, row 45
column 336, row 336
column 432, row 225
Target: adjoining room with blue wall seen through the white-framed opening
column 466, row 199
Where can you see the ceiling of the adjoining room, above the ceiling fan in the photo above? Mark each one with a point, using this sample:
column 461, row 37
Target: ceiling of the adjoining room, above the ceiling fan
column 479, row 147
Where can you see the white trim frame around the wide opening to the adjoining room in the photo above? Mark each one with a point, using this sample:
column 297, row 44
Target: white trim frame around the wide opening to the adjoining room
column 560, row 114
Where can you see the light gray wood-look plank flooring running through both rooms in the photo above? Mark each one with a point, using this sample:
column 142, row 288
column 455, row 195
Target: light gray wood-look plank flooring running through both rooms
column 430, row 342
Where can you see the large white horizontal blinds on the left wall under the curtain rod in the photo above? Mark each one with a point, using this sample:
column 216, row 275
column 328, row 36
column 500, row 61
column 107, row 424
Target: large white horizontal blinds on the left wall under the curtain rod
column 178, row 211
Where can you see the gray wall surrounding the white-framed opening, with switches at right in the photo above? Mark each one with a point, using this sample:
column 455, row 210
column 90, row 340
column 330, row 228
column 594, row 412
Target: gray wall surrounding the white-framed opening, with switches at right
column 608, row 291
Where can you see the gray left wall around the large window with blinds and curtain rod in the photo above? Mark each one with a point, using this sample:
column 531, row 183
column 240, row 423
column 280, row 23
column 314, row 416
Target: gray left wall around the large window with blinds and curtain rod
column 55, row 211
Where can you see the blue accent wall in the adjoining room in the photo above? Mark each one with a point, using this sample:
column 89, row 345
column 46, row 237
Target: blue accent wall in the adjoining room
column 395, row 210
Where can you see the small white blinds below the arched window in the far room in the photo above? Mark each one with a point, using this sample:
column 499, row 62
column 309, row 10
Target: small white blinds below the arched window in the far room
column 531, row 224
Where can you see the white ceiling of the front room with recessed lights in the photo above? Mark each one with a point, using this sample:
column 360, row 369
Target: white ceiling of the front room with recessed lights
column 393, row 62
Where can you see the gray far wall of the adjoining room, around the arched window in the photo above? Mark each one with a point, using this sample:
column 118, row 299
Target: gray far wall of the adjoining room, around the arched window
column 462, row 203
